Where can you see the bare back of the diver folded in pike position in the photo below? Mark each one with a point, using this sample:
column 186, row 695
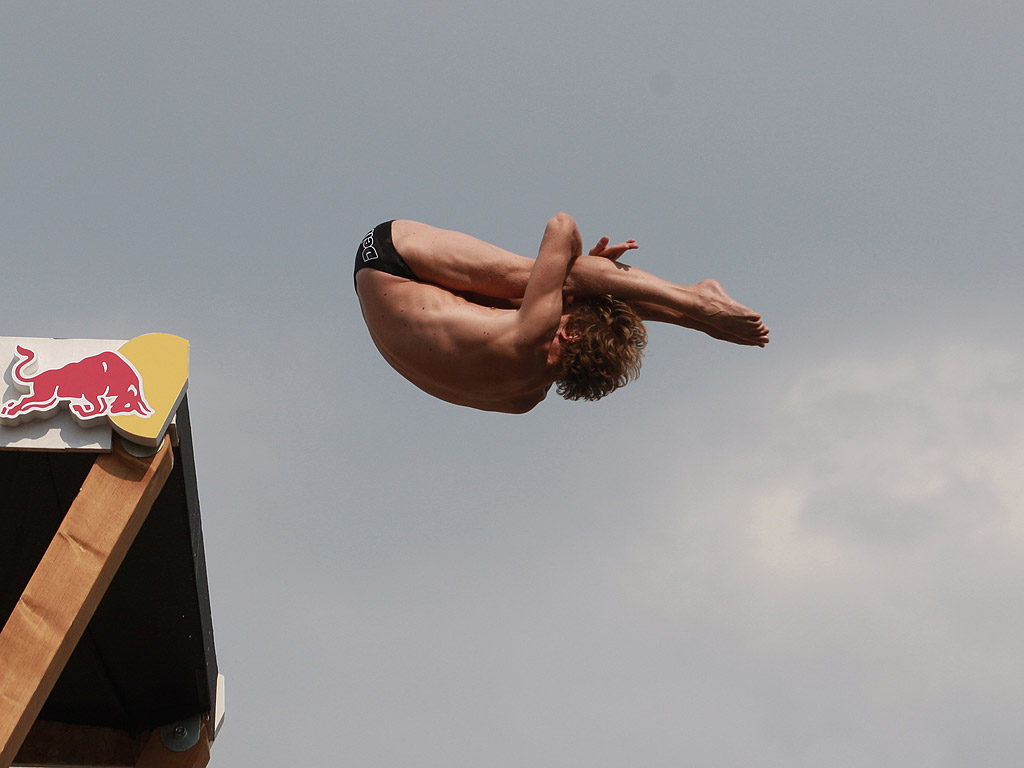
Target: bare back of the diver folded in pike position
column 450, row 348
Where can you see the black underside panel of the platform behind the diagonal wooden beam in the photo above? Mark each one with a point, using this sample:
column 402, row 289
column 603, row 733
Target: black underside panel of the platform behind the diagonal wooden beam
column 147, row 658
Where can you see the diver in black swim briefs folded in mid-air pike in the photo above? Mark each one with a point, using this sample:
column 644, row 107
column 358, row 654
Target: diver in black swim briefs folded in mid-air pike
column 479, row 326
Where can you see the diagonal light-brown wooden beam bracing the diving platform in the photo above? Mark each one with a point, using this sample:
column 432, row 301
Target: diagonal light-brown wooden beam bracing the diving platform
column 71, row 579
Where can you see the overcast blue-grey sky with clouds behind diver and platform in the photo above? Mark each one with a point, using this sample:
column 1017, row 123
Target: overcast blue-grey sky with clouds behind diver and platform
column 809, row 556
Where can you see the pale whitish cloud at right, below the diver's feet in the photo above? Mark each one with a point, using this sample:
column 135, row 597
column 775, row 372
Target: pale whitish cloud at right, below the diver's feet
column 877, row 522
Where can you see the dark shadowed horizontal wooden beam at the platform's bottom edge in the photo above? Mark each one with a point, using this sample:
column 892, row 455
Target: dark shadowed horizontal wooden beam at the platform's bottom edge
column 52, row 744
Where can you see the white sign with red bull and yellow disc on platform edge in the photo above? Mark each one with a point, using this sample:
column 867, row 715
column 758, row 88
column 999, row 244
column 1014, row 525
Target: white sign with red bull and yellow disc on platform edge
column 58, row 389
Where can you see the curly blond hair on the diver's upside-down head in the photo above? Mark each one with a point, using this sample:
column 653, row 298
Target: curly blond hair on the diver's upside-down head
column 607, row 353
